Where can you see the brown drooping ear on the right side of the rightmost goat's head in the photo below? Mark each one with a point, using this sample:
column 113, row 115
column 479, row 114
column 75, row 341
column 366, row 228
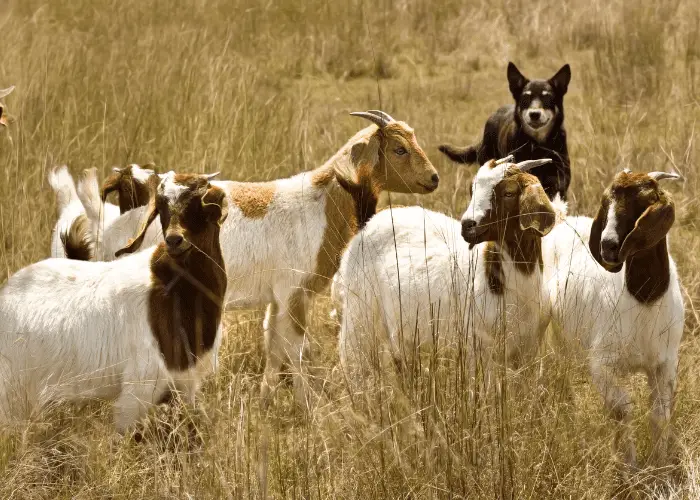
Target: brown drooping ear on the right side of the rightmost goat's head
column 650, row 228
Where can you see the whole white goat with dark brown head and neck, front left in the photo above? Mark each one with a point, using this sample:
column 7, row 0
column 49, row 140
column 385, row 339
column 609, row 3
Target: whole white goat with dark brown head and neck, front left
column 130, row 330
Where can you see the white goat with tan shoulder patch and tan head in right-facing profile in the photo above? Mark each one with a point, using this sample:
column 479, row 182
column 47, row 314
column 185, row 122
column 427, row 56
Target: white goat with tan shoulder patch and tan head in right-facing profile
column 283, row 239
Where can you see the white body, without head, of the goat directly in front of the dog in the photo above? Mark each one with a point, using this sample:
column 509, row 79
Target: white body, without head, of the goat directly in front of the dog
column 409, row 275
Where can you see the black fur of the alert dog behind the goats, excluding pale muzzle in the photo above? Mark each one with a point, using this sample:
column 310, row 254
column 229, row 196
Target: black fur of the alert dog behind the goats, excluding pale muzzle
column 505, row 133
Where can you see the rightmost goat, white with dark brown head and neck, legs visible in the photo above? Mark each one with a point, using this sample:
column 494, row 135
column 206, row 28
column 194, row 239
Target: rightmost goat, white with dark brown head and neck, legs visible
column 622, row 322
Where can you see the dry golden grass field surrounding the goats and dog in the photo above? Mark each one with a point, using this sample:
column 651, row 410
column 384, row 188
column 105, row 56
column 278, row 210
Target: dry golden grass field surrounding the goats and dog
column 261, row 90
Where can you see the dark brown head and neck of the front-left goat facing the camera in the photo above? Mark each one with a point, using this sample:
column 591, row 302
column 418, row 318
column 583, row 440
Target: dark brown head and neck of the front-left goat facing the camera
column 188, row 268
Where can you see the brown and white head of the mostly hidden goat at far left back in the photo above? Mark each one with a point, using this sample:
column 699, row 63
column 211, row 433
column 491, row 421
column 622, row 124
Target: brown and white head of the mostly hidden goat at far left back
column 131, row 185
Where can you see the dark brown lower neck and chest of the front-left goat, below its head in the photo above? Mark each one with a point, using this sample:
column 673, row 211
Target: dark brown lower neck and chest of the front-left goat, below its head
column 185, row 304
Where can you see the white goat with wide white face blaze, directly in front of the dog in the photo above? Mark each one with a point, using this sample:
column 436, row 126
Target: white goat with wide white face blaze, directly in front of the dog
column 411, row 268
